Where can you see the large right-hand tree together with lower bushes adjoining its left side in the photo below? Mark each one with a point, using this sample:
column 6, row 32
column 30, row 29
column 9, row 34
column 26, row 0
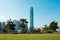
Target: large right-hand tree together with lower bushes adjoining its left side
column 51, row 28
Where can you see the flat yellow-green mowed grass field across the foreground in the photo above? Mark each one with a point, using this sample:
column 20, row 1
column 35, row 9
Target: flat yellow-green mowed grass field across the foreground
column 29, row 36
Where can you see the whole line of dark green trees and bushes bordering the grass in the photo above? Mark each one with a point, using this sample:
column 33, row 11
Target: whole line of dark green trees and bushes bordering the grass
column 10, row 27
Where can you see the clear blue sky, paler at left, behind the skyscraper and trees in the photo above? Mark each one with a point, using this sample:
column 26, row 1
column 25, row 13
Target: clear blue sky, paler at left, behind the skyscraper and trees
column 45, row 11
